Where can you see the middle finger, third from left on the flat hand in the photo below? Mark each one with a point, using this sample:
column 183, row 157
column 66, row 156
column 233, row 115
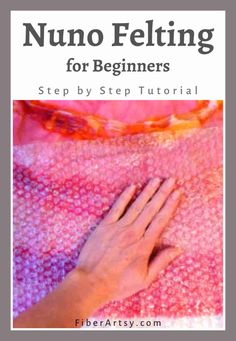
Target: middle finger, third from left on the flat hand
column 153, row 207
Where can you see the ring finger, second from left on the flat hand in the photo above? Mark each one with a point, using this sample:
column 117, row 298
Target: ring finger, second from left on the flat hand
column 139, row 204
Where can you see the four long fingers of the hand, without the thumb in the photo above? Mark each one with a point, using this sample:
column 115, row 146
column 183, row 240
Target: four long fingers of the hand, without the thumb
column 144, row 210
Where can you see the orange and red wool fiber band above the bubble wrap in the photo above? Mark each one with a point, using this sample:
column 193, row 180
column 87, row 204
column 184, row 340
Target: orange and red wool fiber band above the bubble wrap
column 77, row 124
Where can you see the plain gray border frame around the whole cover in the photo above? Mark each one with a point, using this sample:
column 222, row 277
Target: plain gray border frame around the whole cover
column 230, row 7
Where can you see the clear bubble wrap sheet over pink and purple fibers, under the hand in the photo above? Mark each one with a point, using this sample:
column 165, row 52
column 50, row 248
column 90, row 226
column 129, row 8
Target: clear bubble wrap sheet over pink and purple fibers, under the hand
column 63, row 189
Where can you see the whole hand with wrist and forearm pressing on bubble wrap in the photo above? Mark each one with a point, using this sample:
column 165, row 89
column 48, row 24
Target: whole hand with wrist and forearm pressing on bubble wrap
column 116, row 261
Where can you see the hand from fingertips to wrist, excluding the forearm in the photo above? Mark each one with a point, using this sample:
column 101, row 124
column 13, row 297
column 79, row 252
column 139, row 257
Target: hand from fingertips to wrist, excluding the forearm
column 118, row 256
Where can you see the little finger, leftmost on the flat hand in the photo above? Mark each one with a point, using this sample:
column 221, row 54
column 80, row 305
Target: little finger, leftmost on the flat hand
column 120, row 205
